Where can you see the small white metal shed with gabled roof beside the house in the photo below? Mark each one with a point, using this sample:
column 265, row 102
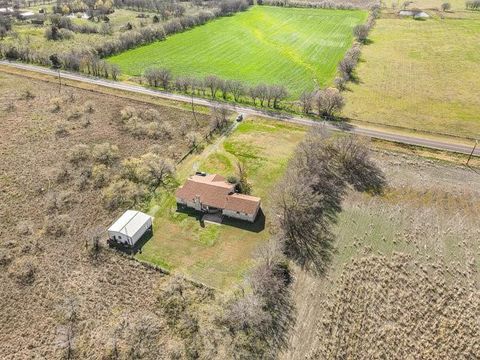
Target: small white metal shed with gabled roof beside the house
column 130, row 227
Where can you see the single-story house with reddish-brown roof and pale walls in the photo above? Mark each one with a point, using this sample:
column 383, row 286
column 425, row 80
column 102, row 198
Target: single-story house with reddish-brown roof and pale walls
column 211, row 193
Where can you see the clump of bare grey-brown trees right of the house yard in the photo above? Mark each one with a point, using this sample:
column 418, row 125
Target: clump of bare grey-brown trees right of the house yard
column 309, row 198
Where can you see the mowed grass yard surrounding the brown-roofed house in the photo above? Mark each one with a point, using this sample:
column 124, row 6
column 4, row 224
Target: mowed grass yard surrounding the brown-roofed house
column 219, row 255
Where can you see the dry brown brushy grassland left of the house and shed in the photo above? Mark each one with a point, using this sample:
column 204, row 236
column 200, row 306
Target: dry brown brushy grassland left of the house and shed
column 44, row 262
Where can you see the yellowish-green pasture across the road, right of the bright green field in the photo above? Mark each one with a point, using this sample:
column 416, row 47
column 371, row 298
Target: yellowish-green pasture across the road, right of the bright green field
column 421, row 75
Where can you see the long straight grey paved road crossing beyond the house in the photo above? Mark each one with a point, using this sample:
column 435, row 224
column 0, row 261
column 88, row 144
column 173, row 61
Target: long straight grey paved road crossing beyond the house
column 377, row 134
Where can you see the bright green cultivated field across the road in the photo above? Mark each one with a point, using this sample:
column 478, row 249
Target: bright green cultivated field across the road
column 294, row 47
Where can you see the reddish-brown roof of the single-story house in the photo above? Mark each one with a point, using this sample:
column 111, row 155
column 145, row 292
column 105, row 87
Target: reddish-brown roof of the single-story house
column 214, row 191
